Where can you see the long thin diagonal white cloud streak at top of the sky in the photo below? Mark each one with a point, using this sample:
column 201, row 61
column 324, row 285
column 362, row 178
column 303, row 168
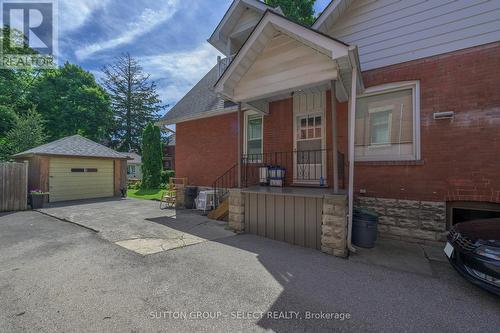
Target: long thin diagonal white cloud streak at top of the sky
column 147, row 21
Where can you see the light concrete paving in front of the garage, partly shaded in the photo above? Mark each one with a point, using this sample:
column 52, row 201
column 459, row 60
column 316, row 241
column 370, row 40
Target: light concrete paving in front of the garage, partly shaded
column 139, row 225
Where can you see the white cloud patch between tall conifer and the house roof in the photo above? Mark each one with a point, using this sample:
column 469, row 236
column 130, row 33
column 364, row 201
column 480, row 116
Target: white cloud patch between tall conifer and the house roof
column 178, row 72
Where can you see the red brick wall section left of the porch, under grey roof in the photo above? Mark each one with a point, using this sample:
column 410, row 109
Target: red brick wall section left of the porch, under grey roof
column 206, row 148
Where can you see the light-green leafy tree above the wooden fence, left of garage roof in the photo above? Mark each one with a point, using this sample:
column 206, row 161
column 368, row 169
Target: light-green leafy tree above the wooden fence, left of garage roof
column 28, row 132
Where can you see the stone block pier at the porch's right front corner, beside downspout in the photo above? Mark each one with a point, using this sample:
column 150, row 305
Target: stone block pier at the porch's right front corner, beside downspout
column 334, row 225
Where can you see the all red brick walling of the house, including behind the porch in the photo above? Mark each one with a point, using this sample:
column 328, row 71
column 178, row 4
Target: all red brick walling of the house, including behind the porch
column 460, row 157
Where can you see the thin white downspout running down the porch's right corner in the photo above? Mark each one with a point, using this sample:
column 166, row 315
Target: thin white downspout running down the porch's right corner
column 351, row 125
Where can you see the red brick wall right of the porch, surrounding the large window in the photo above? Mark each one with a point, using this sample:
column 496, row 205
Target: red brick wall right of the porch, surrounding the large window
column 460, row 157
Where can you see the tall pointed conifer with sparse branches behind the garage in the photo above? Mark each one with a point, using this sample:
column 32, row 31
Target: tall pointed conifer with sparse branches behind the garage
column 134, row 100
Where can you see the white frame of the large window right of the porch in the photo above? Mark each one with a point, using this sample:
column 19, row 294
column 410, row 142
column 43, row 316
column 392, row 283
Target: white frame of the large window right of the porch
column 389, row 88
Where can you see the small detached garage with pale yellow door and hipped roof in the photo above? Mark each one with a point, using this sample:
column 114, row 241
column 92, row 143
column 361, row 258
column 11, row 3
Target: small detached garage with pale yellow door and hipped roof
column 75, row 168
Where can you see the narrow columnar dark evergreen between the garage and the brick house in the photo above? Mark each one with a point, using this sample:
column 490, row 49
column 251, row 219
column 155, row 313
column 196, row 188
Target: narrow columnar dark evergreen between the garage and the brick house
column 151, row 157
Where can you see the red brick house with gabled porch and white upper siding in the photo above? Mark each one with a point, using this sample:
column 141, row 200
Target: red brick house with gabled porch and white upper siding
column 406, row 91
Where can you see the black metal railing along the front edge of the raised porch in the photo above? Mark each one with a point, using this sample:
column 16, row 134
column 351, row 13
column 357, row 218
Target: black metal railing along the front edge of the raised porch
column 305, row 167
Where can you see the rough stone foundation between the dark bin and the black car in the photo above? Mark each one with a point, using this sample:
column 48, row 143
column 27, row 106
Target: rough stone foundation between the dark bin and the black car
column 409, row 220
